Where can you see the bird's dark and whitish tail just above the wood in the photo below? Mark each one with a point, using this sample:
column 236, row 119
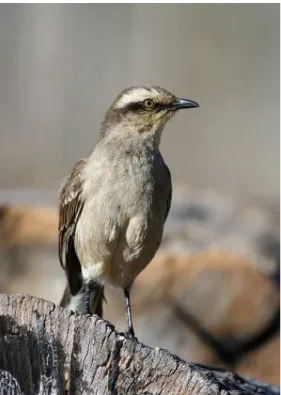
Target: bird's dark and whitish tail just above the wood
column 78, row 302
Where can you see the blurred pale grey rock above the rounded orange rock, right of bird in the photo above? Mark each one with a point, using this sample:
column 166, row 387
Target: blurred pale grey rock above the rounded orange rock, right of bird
column 208, row 219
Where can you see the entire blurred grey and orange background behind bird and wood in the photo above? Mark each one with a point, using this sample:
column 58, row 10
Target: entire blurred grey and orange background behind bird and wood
column 212, row 293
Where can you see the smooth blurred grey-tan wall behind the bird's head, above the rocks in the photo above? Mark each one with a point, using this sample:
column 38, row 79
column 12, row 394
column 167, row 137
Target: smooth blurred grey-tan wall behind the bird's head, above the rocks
column 62, row 64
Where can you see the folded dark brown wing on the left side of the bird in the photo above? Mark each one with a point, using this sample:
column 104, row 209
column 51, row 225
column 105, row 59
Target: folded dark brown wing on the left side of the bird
column 70, row 207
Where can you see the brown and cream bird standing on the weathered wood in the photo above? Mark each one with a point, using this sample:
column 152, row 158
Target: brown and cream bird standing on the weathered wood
column 114, row 204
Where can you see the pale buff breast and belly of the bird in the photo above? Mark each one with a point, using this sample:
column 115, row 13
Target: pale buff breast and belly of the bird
column 121, row 226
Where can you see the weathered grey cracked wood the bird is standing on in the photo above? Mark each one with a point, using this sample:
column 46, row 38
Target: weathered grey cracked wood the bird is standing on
column 42, row 346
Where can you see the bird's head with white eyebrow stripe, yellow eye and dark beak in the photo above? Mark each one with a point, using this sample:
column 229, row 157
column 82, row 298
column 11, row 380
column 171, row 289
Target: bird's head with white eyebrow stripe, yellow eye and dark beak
column 143, row 110
